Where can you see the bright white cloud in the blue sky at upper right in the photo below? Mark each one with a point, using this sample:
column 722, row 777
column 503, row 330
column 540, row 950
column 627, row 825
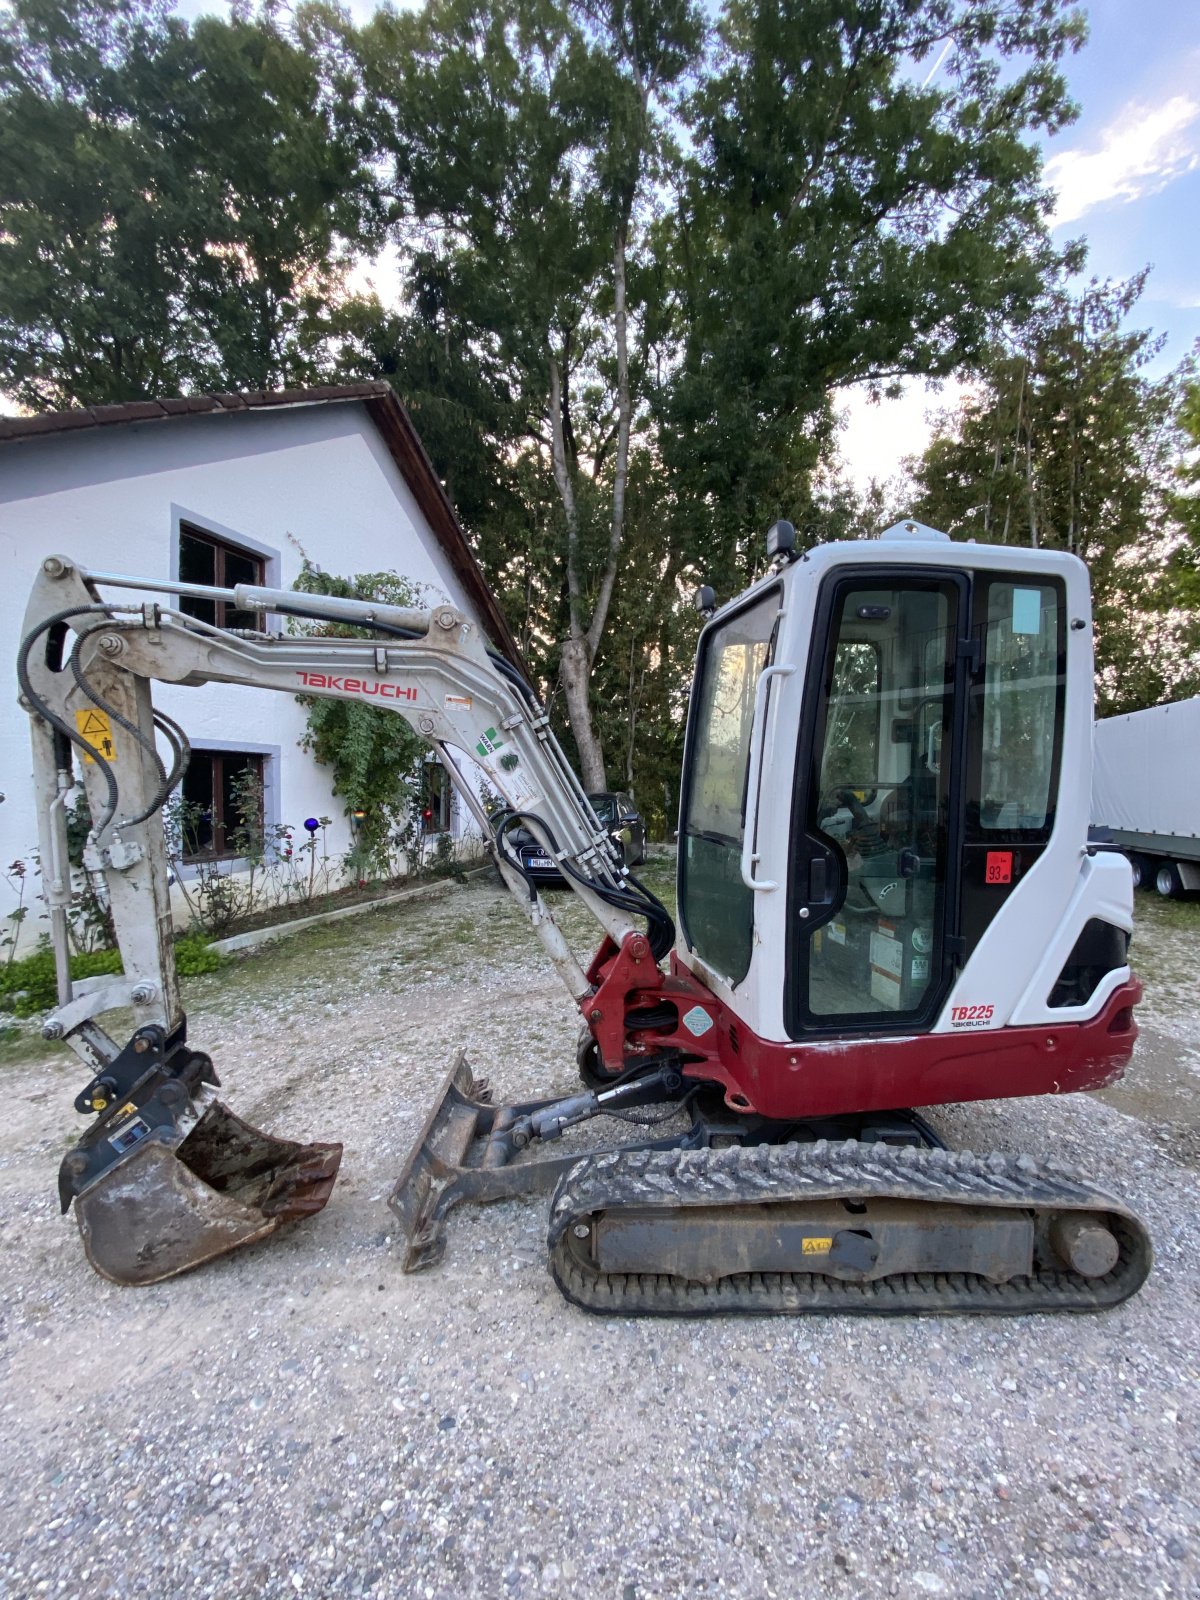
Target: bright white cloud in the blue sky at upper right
column 1142, row 151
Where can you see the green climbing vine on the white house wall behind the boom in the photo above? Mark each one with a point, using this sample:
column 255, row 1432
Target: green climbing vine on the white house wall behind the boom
column 374, row 754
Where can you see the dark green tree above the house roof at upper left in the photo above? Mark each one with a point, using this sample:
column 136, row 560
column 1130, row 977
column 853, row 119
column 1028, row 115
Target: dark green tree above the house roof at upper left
column 177, row 204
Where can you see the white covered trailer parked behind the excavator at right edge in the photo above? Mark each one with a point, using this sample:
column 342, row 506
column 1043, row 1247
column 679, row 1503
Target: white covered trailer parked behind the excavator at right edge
column 1146, row 793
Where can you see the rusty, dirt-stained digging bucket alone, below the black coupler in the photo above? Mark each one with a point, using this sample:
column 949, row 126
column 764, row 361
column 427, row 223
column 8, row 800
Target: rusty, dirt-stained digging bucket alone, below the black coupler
column 166, row 1210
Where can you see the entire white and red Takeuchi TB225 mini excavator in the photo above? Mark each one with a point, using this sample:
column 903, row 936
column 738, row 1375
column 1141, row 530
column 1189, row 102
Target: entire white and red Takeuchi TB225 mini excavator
column 887, row 900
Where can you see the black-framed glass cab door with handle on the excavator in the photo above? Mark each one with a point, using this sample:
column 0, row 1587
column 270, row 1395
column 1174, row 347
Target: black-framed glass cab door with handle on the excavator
column 873, row 924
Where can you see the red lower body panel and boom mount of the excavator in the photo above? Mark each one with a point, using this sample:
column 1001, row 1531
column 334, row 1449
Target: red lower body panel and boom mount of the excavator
column 823, row 1078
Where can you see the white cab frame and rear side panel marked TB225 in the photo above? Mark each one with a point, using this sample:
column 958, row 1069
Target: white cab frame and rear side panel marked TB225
column 1020, row 956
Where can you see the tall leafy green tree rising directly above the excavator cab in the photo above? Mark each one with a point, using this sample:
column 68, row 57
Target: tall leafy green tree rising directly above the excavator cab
column 863, row 202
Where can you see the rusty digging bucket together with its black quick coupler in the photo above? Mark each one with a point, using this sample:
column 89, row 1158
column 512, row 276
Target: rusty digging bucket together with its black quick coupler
column 167, row 1177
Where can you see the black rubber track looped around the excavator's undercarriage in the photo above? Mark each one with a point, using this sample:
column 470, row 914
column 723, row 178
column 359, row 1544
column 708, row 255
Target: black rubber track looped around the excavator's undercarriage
column 822, row 1172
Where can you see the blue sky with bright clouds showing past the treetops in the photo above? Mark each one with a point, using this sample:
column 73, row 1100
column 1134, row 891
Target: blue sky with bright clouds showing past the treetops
column 1127, row 175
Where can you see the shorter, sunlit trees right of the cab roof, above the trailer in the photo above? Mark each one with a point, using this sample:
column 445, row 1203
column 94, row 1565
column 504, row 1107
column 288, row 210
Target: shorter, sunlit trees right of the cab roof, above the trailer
column 1066, row 446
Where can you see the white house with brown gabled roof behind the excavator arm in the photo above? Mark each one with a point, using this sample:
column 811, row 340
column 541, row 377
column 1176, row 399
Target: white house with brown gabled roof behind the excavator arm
column 222, row 490
